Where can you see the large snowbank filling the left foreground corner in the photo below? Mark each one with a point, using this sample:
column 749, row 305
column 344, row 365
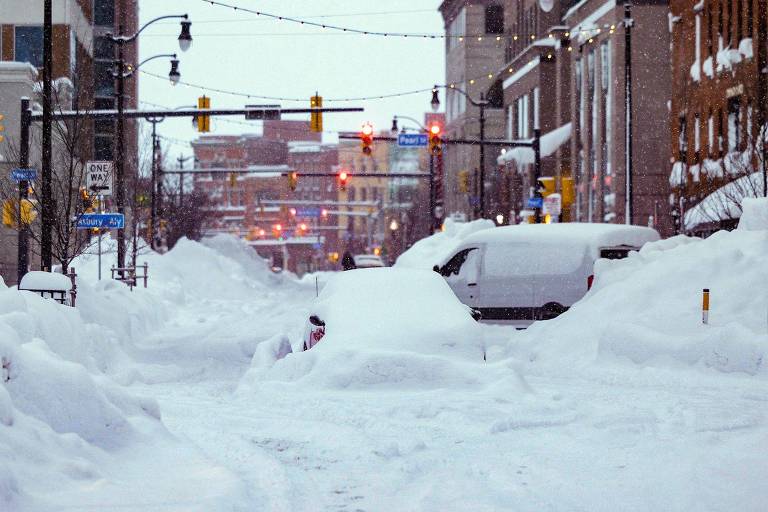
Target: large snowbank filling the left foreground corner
column 59, row 414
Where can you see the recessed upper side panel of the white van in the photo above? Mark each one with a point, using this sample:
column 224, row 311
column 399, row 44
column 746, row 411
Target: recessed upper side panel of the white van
column 532, row 259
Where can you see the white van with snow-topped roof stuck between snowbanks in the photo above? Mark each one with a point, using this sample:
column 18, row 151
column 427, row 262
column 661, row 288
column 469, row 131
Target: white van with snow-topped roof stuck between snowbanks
column 520, row 274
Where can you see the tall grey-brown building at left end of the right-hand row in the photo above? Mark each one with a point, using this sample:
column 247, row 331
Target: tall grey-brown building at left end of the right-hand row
column 474, row 52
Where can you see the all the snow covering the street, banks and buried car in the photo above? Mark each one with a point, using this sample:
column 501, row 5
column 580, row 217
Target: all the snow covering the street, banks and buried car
column 191, row 394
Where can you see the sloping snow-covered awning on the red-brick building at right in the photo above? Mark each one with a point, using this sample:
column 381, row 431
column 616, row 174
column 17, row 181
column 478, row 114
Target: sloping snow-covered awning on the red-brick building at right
column 725, row 202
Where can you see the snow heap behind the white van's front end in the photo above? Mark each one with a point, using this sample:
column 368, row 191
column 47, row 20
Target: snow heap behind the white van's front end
column 435, row 249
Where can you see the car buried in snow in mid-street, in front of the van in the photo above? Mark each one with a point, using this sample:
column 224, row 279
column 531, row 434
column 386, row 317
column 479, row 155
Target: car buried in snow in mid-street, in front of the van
column 392, row 309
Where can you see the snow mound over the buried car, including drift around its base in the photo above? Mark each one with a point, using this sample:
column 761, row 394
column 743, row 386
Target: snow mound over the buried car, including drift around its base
column 385, row 327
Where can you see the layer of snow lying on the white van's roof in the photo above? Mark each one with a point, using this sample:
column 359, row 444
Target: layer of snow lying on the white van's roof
column 577, row 233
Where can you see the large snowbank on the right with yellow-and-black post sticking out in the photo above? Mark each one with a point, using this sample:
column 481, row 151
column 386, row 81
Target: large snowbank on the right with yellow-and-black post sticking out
column 646, row 309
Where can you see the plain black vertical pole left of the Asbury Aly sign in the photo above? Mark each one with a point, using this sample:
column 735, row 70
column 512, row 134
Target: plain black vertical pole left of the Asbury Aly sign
column 46, row 235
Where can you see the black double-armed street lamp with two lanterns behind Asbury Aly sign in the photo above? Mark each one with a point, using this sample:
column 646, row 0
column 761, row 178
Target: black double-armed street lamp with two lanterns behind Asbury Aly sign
column 120, row 73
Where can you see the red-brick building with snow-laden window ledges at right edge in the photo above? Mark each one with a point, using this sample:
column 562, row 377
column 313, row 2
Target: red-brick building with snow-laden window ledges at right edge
column 718, row 106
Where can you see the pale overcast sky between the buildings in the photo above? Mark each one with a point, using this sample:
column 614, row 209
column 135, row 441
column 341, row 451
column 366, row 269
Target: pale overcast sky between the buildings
column 238, row 51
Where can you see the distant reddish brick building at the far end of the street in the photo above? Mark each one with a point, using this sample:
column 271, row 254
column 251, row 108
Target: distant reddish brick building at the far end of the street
column 253, row 204
